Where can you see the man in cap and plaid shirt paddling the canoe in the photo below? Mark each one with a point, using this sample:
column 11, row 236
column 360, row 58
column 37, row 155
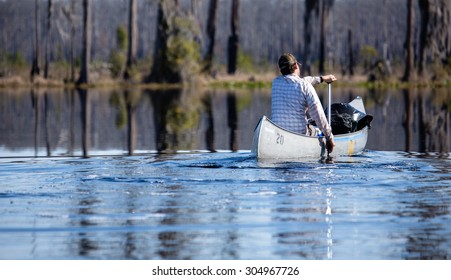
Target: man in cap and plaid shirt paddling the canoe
column 292, row 97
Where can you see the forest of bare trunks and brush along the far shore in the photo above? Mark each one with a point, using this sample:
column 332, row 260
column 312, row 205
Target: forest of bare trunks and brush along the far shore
column 177, row 41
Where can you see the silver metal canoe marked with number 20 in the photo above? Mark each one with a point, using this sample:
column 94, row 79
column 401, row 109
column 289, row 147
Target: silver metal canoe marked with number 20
column 273, row 142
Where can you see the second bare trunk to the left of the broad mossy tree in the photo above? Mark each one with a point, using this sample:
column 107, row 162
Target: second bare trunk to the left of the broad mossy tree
column 86, row 53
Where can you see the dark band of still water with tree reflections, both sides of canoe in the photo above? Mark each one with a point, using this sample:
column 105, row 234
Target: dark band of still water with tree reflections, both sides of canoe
column 412, row 120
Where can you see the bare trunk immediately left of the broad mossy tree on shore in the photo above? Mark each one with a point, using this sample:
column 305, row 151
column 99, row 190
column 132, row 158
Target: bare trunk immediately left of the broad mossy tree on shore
column 132, row 38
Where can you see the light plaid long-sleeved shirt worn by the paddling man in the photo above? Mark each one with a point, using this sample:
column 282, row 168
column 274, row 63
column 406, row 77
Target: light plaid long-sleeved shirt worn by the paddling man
column 292, row 98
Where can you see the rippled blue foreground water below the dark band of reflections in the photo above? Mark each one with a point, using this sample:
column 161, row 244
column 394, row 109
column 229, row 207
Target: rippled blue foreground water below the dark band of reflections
column 381, row 205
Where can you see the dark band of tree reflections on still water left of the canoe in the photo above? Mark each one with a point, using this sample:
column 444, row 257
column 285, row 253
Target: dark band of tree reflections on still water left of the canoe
column 80, row 120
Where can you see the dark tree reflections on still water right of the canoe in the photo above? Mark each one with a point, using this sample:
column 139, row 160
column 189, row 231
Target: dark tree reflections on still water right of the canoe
column 423, row 114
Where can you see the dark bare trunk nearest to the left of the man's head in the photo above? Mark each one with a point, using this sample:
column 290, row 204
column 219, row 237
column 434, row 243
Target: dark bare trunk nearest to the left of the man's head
column 234, row 39
